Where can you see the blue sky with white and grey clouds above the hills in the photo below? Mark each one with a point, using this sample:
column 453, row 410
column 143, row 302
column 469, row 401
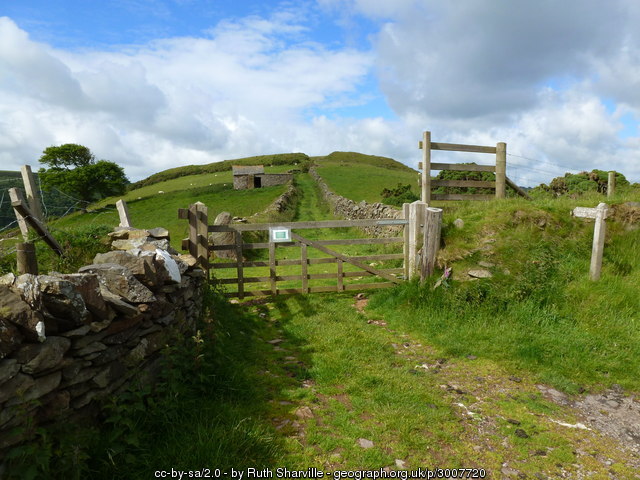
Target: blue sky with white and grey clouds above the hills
column 155, row 84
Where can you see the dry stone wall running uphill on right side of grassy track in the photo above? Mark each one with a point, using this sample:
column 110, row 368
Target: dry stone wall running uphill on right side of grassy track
column 346, row 208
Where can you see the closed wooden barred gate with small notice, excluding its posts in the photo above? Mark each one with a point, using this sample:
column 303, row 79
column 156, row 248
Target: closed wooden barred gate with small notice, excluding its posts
column 245, row 270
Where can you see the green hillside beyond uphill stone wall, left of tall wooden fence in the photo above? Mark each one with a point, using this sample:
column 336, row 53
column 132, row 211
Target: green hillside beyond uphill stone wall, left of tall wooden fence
column 363, row 177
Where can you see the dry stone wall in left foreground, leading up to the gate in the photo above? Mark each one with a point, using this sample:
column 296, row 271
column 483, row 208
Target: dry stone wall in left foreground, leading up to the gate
column 69, row 340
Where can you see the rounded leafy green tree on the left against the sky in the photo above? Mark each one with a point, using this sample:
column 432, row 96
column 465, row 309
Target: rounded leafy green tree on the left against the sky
column 74, row 171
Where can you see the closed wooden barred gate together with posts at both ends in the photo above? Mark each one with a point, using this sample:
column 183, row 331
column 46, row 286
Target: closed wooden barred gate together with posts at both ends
column 419, row 221
